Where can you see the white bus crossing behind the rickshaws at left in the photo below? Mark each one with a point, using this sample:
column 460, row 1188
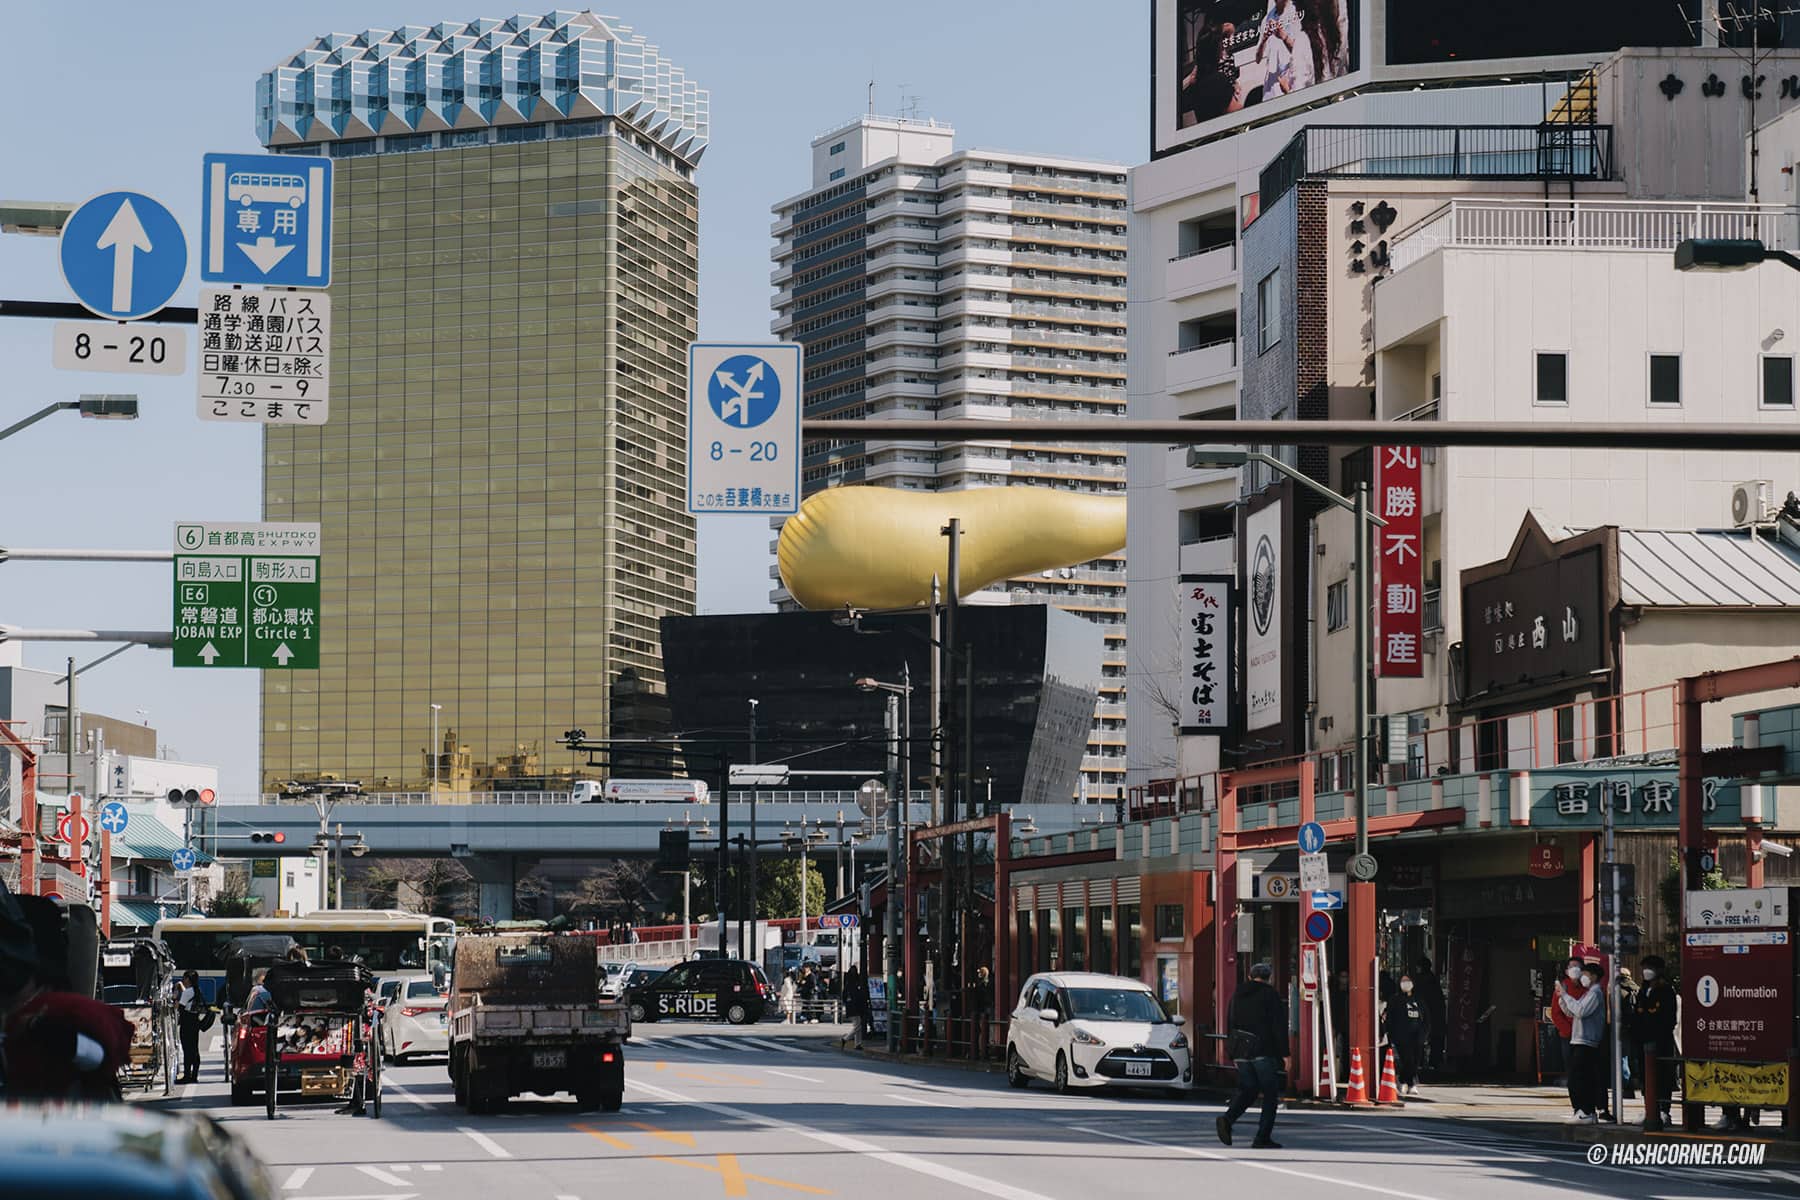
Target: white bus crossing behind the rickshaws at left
column 390, row 942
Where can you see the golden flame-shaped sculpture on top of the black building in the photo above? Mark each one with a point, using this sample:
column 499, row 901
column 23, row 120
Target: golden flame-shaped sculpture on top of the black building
column 879, row 548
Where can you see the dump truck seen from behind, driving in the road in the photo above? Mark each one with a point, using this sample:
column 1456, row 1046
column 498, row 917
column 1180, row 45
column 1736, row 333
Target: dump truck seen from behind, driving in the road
column 526, row 1016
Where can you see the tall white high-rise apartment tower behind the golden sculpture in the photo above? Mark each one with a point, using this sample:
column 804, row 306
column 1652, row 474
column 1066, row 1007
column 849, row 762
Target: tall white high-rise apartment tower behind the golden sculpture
column 937, row 283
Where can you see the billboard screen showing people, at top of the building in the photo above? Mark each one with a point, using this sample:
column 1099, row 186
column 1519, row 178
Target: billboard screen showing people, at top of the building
column 1218, row 58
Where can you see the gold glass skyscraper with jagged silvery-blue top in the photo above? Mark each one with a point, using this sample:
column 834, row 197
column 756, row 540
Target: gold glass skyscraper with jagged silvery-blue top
column 501, row 481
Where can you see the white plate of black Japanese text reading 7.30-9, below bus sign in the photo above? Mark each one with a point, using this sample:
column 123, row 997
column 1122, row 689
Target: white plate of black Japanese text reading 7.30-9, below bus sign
column 265, row 357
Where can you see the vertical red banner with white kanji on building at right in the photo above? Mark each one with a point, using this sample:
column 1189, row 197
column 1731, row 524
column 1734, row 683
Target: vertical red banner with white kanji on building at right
column 1399, row 562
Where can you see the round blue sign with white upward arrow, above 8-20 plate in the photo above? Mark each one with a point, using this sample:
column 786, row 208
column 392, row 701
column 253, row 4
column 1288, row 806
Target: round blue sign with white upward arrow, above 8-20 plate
column 123, row 256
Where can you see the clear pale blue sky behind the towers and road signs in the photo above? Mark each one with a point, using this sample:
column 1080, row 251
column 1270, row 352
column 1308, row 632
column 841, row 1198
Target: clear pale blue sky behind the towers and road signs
column 114, row 94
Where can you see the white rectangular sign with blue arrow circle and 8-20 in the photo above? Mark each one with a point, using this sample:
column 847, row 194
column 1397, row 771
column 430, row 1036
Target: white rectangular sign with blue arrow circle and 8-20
column 744, row 429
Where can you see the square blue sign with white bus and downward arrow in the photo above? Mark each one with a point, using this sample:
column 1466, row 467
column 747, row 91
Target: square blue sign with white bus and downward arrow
column 265, row 220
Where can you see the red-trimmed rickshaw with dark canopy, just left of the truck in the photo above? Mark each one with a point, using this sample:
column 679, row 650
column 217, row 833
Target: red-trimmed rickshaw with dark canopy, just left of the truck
column 319, row 1039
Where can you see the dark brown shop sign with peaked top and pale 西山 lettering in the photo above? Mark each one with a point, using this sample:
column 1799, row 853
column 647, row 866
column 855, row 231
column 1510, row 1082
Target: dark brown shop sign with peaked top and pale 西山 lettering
column 1540, row 616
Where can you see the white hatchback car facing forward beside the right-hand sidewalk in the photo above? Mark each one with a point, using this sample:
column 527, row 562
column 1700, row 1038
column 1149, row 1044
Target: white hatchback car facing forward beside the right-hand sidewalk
column 1084, row 1030
